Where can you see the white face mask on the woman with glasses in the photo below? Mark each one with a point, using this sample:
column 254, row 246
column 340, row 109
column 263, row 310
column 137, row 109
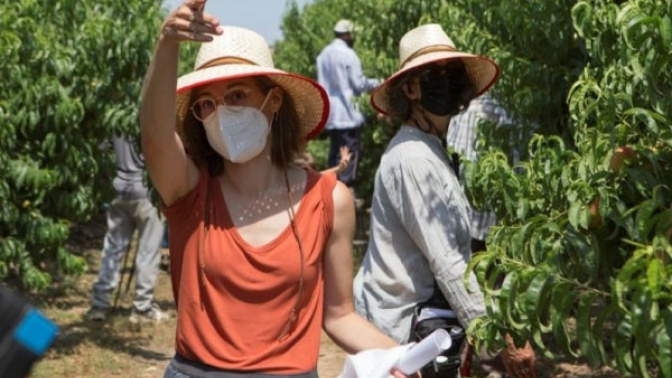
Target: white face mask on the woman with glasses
column 238, row 133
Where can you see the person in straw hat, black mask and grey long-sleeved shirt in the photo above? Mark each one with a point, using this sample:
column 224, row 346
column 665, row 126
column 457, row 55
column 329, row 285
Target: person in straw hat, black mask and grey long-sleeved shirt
column 419, row 244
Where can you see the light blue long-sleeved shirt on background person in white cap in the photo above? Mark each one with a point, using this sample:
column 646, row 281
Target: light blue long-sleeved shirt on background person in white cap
column 339, row 71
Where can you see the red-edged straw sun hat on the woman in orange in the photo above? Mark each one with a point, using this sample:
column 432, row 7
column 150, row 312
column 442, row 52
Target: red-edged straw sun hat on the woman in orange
column 239, row 53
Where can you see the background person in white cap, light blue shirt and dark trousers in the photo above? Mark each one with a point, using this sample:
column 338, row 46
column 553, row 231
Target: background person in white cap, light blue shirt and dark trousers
column 339, row 71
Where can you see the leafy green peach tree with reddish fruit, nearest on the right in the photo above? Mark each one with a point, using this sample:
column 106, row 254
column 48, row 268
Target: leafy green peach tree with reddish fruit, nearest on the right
column 585, row 223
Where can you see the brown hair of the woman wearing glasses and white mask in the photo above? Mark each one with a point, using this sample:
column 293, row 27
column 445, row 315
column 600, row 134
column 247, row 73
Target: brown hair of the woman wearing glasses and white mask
column 286, row 140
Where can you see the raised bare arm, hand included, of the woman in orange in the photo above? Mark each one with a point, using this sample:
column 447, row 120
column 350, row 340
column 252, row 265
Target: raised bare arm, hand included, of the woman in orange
column 171, row 171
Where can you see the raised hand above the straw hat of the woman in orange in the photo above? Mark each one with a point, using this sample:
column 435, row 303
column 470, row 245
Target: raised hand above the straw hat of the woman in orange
column 190, row 23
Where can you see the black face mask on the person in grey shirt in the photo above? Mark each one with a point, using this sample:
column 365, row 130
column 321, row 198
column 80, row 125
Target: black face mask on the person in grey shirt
column 437, row 93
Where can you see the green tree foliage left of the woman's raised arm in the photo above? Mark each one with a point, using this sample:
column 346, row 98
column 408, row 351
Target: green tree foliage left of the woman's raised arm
column 72, row 73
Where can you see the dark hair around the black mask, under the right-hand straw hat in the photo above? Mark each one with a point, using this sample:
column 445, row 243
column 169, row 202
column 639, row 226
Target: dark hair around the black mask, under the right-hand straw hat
column 462, row 93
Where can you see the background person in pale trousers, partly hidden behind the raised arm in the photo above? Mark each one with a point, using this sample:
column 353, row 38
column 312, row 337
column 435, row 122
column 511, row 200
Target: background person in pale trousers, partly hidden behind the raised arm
column 131, row 210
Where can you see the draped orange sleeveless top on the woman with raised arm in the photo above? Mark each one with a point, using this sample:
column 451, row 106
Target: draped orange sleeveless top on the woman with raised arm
column 231, row 317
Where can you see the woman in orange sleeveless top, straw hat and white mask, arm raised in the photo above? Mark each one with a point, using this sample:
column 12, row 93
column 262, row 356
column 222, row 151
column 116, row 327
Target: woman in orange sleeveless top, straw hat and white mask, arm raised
column 260, row 250
